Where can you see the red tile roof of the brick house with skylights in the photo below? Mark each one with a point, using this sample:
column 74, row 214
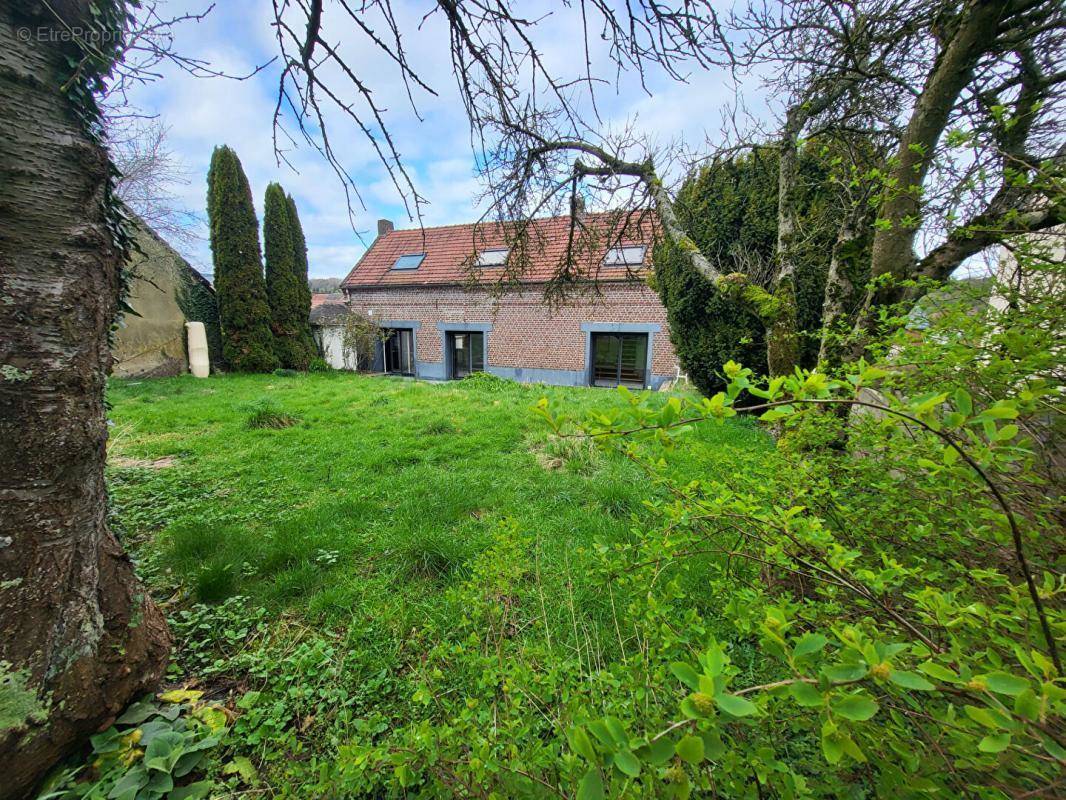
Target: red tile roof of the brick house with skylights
column 450, row 250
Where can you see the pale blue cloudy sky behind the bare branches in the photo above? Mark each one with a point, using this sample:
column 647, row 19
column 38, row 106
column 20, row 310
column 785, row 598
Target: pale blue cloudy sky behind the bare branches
column 238, row 36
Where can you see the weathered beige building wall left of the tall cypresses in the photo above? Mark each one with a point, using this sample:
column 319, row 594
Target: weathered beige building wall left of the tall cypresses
column 166, row 294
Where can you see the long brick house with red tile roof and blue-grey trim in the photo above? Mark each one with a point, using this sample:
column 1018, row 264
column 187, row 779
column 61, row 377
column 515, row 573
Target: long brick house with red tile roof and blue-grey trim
column 442, row 295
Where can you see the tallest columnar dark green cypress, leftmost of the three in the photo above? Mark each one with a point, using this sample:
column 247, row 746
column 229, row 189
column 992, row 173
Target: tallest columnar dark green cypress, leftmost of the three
column 248, row 344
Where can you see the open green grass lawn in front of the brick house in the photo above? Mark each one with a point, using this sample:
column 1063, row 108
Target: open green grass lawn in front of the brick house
column 379, row 494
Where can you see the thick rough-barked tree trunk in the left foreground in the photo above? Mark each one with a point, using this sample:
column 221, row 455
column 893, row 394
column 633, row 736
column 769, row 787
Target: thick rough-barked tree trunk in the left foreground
column 80, row 637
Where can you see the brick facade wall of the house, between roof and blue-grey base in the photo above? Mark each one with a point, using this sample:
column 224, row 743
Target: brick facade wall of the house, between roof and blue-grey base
column 526, row 333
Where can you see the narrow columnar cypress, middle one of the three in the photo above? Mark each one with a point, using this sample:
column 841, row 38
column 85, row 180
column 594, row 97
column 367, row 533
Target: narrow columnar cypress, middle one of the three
column 289, row 305
